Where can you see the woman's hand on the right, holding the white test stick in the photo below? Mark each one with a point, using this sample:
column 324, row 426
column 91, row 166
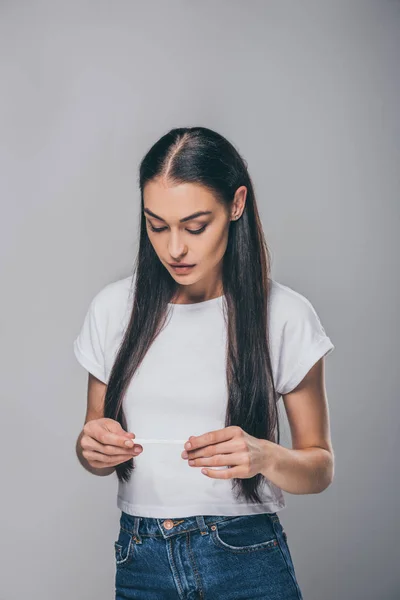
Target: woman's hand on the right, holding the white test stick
column 231, row 447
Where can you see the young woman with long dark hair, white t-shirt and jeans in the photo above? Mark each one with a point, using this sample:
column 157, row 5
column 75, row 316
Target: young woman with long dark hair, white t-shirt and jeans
column 198, row 345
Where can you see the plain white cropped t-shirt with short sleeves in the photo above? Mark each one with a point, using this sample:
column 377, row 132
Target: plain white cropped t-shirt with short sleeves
column 180, row 390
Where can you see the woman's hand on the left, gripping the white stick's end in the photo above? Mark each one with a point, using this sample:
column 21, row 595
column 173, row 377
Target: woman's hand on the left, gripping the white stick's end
column 103, row 443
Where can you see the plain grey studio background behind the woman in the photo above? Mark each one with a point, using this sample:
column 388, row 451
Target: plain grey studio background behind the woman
column 309, row 93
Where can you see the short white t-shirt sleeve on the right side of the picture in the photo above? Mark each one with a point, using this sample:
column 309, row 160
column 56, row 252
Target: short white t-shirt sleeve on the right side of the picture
column 303, row 341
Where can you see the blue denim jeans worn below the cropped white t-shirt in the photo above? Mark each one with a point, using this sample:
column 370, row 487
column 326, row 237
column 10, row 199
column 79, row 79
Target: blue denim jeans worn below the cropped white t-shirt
column 204, row 558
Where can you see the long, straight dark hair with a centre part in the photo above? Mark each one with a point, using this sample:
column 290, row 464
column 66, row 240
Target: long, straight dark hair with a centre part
column 202, row 156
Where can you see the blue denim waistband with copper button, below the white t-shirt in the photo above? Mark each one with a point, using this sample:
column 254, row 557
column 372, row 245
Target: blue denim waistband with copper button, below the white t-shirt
column 166, row 528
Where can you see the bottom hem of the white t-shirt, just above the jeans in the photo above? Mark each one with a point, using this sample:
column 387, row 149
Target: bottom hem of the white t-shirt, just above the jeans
column 165, row 512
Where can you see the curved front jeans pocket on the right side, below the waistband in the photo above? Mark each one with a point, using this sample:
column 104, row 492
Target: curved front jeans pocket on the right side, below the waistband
column 247, row 533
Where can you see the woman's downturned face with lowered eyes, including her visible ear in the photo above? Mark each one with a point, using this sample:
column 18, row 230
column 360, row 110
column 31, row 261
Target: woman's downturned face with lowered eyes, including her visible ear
column 186, row 237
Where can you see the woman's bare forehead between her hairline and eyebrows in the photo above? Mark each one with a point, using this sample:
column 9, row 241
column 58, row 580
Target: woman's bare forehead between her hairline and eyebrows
column 177, row 200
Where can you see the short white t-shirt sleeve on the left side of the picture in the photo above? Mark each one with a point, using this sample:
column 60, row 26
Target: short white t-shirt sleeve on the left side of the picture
column 89, row 345
